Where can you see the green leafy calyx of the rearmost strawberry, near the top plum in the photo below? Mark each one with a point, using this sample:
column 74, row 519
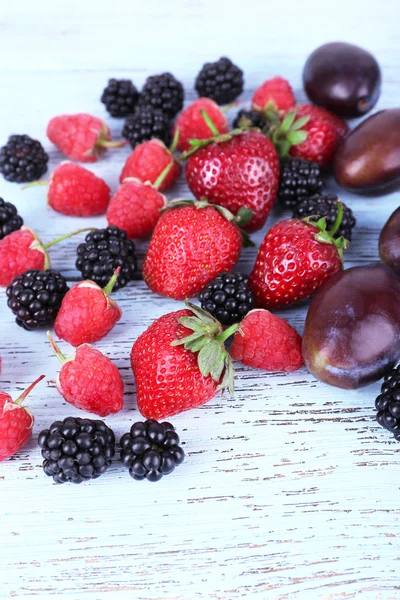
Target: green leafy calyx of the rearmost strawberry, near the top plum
column 287, row 132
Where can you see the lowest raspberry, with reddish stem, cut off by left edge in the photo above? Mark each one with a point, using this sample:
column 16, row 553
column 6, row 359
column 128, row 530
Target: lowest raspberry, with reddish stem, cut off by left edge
column 16, row 422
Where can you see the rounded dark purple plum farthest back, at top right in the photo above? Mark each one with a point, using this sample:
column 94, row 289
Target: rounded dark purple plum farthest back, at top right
column 342, row 78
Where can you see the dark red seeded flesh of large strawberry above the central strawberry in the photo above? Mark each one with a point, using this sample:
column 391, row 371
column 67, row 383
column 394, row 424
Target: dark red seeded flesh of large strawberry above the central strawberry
column 236, row 171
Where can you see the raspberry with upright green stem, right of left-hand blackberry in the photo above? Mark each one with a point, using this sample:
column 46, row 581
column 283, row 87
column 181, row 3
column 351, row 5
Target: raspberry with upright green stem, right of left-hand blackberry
column 87, row 313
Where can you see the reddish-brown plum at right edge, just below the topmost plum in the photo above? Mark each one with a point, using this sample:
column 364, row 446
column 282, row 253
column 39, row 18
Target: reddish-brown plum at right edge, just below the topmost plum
column 368, row 160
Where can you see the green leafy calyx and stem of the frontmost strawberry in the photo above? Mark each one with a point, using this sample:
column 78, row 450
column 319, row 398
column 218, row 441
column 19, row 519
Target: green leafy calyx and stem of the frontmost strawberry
column 207, row 340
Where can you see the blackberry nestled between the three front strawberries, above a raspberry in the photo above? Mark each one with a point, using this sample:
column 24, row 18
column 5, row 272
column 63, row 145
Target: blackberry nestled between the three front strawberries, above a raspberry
column 227, row 298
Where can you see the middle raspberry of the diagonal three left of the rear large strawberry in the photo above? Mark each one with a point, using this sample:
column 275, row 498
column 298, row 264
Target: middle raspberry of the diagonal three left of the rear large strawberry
column 148, row 161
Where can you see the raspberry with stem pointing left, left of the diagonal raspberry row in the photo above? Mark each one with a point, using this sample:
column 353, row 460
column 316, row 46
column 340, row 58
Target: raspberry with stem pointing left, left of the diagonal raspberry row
column 76, row 191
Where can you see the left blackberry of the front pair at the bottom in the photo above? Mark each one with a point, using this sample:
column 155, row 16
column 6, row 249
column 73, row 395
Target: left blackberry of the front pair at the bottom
column 76, row 449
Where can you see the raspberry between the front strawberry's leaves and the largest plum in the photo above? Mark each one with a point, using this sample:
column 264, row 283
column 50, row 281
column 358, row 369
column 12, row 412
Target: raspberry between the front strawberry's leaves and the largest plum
column 267, row 342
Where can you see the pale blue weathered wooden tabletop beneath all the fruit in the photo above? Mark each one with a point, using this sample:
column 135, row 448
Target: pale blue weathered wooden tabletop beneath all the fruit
column 289, row 490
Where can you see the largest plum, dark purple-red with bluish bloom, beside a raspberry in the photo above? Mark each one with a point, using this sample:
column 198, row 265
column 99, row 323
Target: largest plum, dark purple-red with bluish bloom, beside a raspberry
column 352, row 330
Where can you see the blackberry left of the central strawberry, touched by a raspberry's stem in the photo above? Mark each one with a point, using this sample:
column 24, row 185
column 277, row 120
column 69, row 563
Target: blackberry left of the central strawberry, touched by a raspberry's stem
column 102, row 252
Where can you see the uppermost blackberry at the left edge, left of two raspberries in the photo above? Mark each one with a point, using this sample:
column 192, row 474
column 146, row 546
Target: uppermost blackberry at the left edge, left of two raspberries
column 23, row 159
